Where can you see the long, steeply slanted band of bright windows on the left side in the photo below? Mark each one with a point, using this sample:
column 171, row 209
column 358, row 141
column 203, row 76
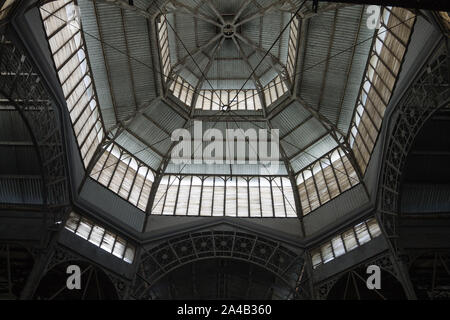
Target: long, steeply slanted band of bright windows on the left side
column 67, row 46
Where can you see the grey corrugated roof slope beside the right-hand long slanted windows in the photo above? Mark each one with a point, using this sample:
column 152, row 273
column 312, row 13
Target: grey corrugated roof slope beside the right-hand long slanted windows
column 345, row 28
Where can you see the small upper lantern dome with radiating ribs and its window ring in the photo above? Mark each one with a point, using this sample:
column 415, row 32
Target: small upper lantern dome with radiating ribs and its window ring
column 227, row 51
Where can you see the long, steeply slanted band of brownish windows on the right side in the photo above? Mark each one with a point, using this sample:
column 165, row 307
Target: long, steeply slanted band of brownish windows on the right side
column 374, row 96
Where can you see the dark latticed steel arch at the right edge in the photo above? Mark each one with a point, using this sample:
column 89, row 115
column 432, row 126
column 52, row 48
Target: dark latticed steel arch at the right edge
column 429, row 92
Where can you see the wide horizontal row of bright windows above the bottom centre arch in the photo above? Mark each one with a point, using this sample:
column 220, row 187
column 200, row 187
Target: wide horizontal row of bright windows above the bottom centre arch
column 261, row 196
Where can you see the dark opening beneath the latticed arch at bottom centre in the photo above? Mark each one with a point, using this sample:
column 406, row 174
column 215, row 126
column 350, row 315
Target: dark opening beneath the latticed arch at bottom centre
column 221, row 279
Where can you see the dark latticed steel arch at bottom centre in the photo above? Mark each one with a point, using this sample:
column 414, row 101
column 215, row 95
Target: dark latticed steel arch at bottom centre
column 160, row 260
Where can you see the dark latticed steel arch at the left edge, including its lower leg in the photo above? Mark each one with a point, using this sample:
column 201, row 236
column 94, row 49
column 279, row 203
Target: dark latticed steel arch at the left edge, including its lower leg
column 22, row 85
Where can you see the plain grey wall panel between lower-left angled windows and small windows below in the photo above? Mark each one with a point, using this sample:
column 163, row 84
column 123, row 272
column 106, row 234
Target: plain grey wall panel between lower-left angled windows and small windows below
column 112, row 204
